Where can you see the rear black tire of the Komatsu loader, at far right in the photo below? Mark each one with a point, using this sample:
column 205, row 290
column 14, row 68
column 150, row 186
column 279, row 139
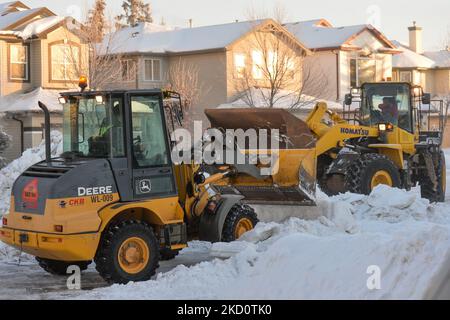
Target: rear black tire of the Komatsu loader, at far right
column 426, row 185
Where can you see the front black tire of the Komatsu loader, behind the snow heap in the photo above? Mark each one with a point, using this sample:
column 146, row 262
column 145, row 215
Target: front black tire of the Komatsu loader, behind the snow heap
column 360, row 173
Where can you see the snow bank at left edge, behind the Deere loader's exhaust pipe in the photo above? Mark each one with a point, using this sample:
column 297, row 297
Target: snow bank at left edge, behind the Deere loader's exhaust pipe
column 12, row 171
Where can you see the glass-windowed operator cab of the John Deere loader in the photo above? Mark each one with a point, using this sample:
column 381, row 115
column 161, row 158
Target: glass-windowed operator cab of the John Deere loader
column 126, row 128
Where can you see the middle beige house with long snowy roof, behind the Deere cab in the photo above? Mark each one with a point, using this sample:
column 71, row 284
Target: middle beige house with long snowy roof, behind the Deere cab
column 220, row 54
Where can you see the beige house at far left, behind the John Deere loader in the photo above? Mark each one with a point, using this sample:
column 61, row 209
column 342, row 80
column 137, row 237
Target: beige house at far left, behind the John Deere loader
column 40, row 55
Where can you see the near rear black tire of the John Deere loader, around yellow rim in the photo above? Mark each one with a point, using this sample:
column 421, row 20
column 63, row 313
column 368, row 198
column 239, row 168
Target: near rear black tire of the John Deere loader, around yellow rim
column 107, row 257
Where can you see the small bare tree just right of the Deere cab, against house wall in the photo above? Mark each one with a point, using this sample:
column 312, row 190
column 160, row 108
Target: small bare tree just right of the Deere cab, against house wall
column 183, row 78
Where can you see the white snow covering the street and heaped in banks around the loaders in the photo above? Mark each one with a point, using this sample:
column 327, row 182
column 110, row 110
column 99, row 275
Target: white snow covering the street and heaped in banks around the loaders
column 392, row 236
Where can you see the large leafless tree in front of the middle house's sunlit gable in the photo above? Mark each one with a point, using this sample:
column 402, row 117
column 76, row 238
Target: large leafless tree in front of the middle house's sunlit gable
column 272, row 72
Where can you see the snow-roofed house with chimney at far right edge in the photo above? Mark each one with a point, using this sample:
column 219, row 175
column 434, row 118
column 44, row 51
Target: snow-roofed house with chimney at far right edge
column 429, row 69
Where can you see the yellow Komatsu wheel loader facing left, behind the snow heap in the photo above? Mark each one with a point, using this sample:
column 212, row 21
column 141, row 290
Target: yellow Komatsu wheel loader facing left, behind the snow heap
column 389, row 133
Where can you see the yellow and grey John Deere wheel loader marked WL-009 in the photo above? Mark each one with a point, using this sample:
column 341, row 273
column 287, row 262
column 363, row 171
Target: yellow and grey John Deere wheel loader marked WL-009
column 115, row 197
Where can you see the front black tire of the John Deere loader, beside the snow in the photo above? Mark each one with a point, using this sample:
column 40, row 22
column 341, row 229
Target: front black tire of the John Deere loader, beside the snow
column 237, row 213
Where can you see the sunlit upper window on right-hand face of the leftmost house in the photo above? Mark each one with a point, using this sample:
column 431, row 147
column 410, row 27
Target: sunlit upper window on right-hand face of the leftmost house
column 65, row 59
